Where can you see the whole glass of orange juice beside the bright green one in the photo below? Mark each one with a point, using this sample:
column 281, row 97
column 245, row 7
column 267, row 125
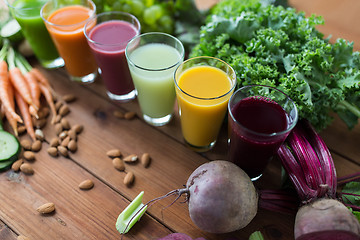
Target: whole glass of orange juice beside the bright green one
column 65, row 21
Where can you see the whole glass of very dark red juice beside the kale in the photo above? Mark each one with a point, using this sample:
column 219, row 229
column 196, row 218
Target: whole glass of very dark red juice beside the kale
column 260, row 119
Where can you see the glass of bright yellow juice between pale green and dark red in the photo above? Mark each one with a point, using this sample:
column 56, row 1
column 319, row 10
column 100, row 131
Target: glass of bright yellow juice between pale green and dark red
column 203, row 88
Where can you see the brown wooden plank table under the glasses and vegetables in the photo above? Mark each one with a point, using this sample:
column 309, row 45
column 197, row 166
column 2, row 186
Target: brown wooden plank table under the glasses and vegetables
column 92, row 214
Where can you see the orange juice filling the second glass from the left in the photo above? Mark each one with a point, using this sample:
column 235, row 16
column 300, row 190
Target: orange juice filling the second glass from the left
column 66, row 28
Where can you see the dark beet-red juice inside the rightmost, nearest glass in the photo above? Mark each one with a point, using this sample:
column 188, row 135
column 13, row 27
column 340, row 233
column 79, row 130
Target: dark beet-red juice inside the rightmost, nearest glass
column 252, row 149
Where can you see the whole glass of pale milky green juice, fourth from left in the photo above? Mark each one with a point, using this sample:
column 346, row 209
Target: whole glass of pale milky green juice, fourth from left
column 152, row 59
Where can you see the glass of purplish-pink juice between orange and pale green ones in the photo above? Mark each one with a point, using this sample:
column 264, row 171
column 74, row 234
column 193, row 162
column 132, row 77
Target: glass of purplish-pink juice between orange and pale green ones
column 108, row 34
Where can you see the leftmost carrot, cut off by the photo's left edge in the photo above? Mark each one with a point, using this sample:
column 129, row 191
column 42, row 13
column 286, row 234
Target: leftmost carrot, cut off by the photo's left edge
column 6, row 93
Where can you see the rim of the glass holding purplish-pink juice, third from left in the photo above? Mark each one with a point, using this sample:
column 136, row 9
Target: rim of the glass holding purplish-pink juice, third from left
column 109, row 13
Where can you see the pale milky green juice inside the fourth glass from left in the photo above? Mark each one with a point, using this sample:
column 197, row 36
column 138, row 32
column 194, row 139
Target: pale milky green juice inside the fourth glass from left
column 153, row 78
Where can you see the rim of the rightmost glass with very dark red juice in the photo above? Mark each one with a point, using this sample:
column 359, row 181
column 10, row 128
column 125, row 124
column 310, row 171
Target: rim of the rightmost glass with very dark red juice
column 288, row 129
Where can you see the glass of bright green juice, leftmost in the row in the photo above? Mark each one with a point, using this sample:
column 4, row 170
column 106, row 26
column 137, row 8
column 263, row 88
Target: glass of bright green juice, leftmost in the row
column 27, row 14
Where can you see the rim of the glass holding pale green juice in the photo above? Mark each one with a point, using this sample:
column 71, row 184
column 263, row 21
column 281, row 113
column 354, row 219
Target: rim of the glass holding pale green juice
column 182, row 54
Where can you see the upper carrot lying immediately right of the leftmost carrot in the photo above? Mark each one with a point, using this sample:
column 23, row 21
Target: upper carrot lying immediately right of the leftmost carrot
column 18, row 81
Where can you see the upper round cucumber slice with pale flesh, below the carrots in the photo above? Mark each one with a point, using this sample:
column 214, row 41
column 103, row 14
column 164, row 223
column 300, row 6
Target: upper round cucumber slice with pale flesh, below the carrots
column 9, row 147
